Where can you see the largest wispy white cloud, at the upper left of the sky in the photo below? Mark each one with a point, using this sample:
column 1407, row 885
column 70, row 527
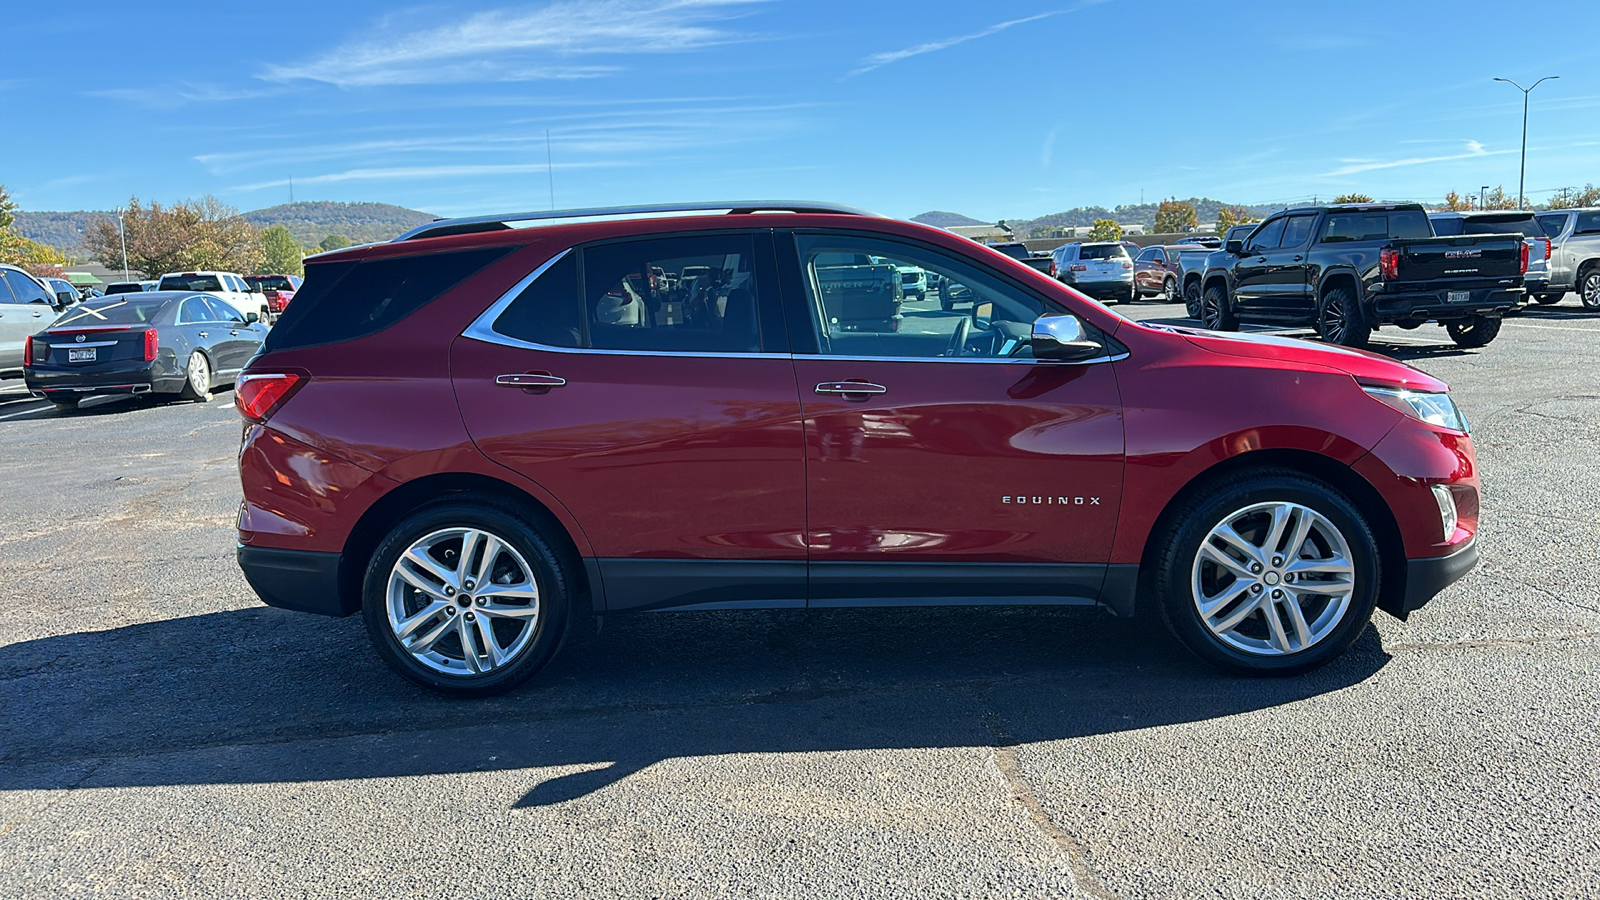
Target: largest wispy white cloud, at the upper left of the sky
column 522, row 46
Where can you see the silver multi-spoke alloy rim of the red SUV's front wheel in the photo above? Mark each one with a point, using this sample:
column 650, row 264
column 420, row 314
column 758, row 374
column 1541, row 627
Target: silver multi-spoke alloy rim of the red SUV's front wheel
column 1273, row 579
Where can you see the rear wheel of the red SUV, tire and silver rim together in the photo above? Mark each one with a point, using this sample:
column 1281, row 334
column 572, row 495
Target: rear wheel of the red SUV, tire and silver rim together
column 466, row 598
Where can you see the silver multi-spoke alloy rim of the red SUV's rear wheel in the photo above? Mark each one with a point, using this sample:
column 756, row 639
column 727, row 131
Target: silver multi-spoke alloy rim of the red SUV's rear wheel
column 463, row 601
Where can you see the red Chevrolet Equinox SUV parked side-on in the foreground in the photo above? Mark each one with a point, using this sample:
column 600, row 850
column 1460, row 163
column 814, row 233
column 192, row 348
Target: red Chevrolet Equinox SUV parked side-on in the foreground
column 478, row 433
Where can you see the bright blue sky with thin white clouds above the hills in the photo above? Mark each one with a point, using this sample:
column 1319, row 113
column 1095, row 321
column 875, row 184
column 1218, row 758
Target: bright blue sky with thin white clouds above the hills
column 991, row 110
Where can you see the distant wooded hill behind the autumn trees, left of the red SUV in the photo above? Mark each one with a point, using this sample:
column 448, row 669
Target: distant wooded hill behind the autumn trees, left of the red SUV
column 308, row 222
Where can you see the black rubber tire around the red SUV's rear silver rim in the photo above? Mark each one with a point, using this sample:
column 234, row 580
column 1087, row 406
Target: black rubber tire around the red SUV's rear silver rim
column 548, row 573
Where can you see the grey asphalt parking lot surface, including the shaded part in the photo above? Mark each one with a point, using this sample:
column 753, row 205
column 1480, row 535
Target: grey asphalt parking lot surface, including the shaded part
column 166, row 734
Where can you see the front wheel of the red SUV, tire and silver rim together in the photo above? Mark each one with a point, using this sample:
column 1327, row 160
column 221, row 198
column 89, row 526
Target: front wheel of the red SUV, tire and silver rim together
column 1270, row 573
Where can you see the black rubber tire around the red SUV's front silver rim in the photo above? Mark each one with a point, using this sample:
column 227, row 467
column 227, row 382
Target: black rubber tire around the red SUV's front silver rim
column 1174, row 574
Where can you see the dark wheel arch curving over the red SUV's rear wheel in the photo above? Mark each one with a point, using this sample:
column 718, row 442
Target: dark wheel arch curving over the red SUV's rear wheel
column 393, row 507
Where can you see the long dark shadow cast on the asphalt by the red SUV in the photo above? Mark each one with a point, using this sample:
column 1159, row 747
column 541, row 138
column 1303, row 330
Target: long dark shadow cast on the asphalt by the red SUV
column 260, row 696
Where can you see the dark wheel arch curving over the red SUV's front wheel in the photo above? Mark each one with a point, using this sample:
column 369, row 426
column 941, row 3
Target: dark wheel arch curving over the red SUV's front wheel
column 1345, row 480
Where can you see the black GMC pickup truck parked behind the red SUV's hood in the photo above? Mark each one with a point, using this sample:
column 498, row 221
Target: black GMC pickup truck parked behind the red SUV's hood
column 1350, row 268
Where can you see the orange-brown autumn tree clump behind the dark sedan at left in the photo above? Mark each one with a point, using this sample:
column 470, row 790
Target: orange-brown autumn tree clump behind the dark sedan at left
column 193, row 235
